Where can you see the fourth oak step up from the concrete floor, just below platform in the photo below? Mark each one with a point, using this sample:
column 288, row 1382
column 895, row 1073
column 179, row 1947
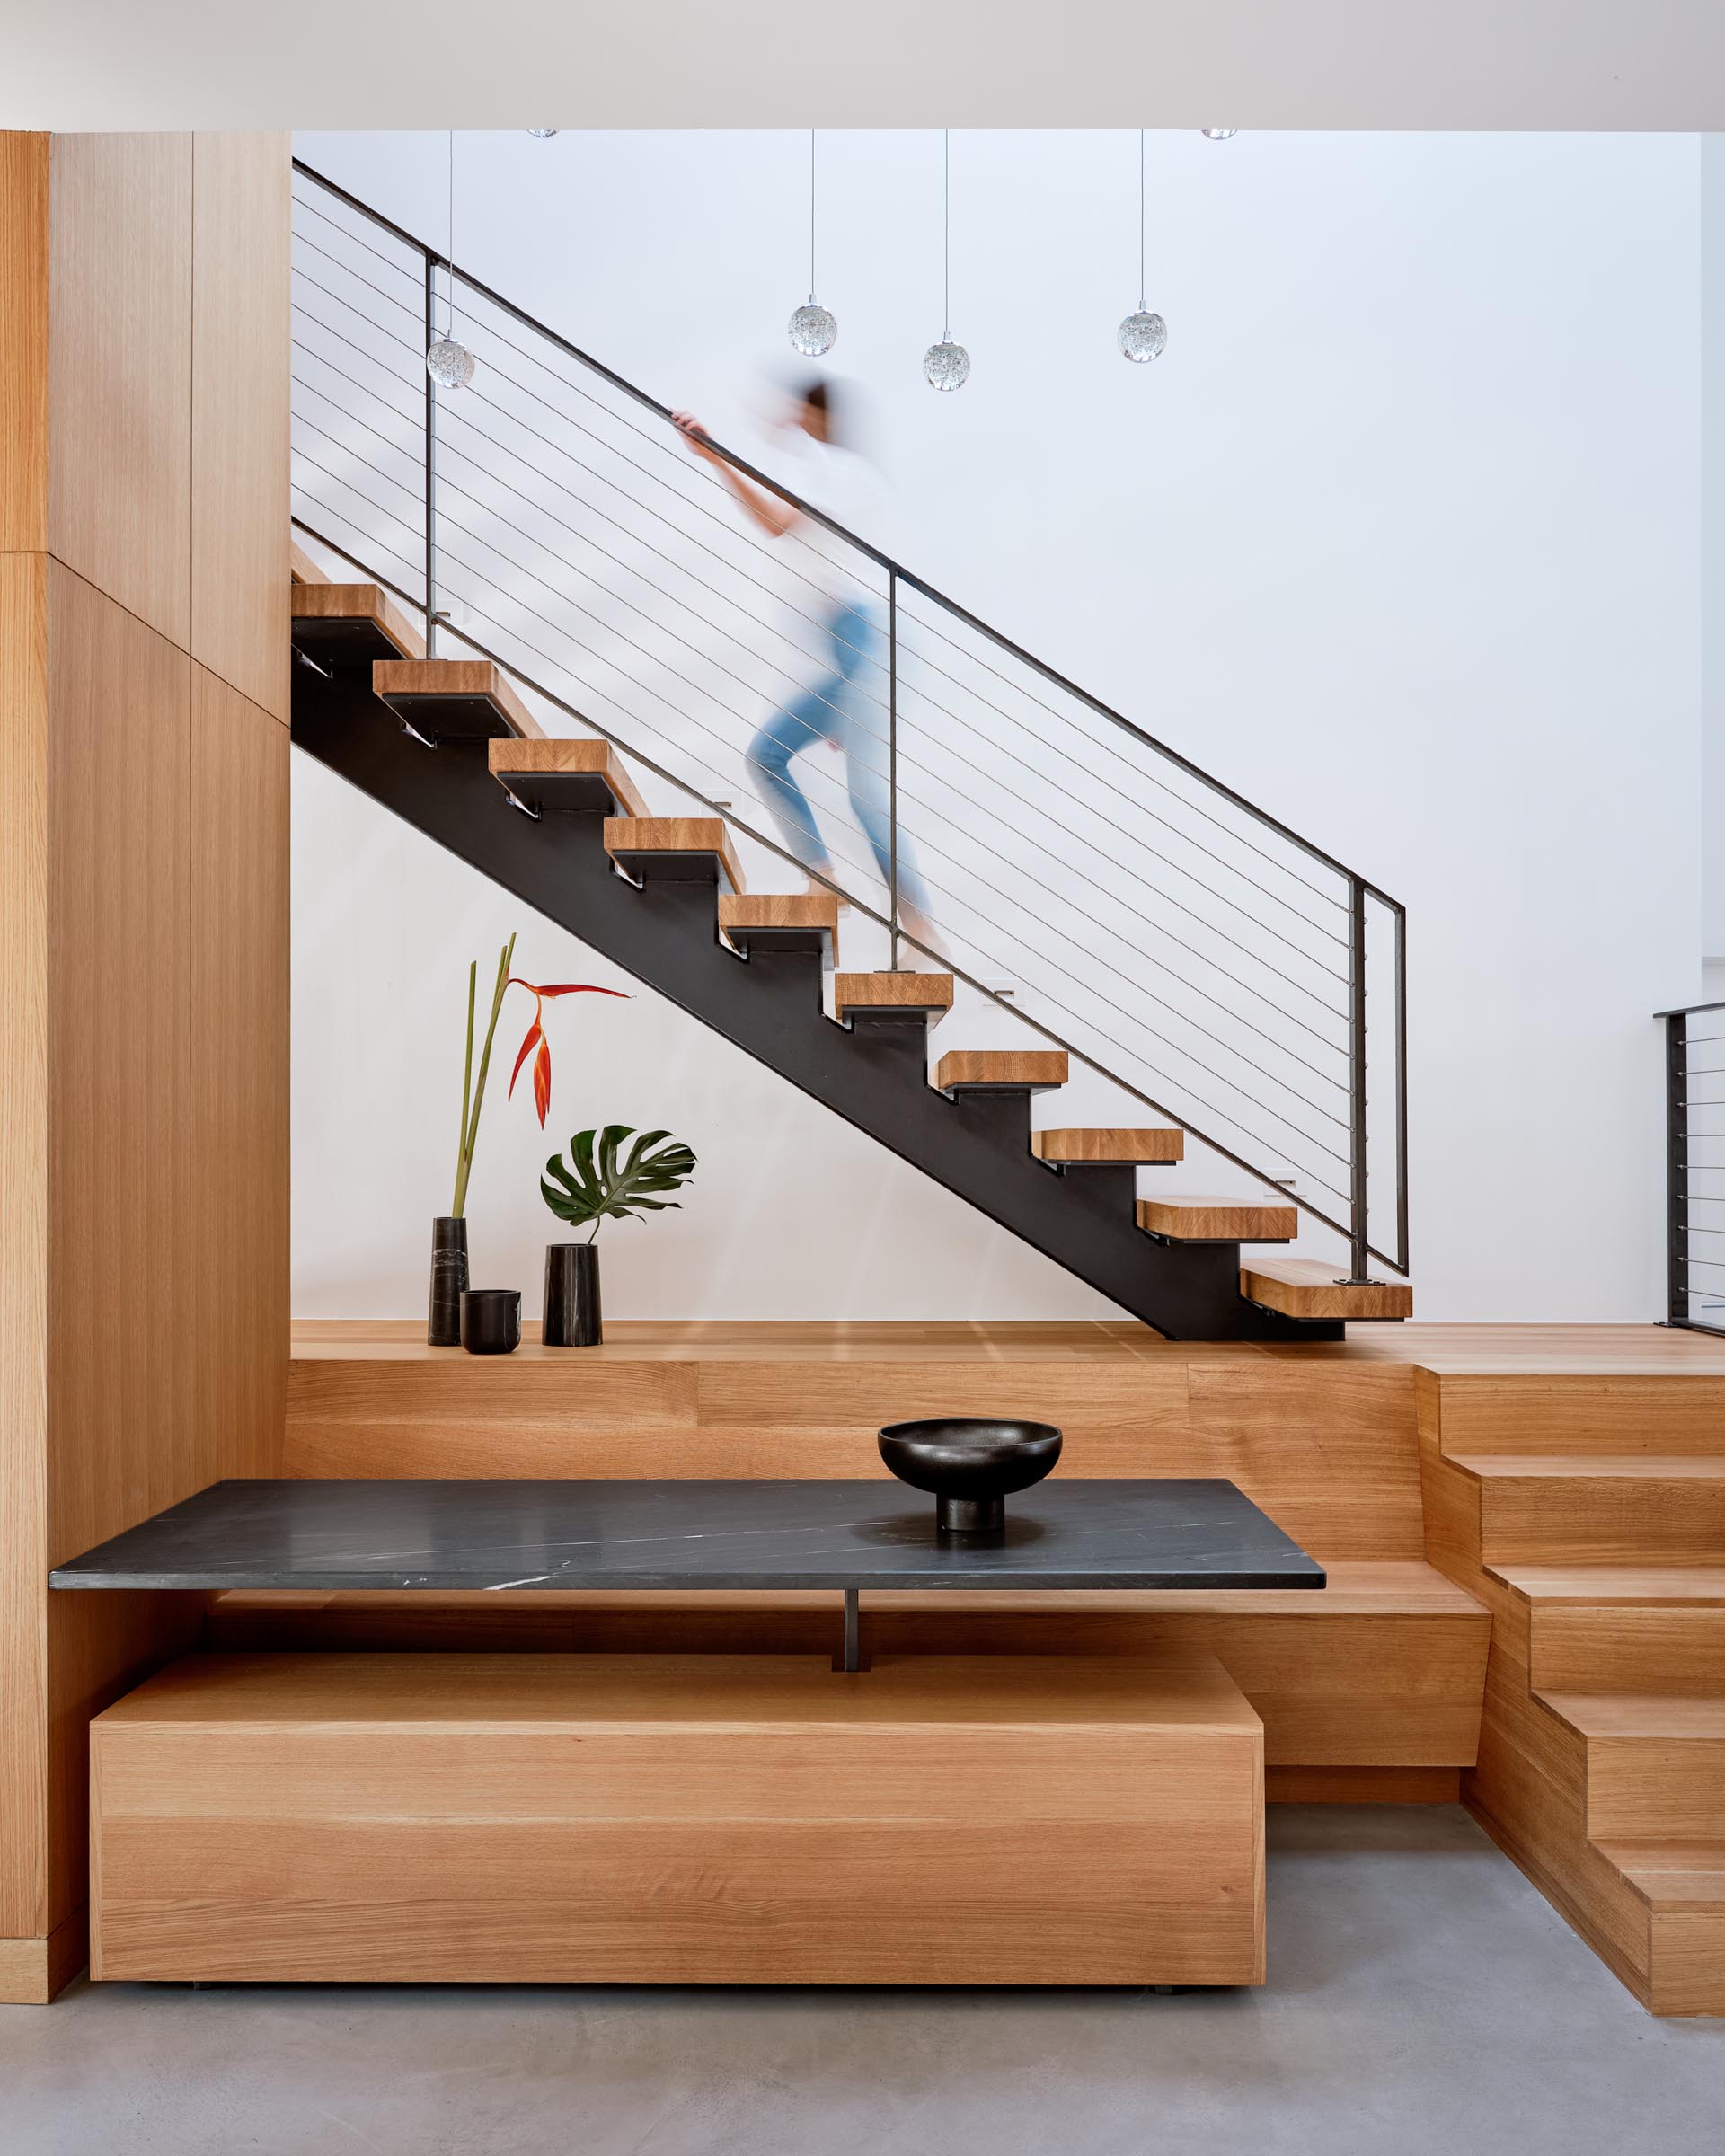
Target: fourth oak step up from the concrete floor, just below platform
column 1599, row 1508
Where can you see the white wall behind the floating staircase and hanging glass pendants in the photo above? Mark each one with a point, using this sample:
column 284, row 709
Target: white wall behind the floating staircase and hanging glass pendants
column 1400, row 538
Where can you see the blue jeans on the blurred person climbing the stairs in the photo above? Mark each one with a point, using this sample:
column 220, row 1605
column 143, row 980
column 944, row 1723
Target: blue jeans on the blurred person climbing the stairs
column 833, row 713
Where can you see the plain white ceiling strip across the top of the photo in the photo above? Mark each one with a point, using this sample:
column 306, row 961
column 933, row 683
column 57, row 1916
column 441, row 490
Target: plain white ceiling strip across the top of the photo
column 864, row 64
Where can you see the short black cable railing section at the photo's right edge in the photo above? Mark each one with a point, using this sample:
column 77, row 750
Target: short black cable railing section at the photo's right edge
column 1696, row 1167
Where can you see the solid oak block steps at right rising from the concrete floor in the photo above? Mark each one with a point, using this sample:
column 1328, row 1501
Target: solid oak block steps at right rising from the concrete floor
column 1603, row 1743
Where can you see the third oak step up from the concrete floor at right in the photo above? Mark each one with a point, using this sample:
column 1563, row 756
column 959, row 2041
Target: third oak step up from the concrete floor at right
column 1620, row 1629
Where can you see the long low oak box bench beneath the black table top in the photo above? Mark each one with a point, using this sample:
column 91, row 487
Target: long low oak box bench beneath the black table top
column 665, row 1819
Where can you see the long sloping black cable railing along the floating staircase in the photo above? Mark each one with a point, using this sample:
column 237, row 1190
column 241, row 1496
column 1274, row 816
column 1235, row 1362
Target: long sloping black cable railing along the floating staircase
column 1084, row 881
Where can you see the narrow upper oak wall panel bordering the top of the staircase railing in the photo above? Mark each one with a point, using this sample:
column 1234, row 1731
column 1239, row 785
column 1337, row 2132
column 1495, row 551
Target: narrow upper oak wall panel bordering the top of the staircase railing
column 240, row 413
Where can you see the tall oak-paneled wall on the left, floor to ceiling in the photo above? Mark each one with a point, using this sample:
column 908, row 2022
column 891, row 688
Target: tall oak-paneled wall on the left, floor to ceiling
column 143, row 930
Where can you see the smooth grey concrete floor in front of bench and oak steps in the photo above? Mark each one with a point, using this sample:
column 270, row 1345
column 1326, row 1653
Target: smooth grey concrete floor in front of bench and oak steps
column 1422, row 2002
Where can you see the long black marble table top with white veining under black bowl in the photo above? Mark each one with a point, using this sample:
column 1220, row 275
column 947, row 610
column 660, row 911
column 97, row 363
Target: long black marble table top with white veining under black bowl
column 340, row 1536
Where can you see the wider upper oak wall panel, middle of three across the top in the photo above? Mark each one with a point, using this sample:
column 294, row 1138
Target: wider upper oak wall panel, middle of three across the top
column 120, row 372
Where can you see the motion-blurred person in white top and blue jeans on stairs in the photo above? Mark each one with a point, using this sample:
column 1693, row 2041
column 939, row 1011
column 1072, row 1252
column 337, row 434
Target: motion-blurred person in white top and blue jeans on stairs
column 855, row 641
